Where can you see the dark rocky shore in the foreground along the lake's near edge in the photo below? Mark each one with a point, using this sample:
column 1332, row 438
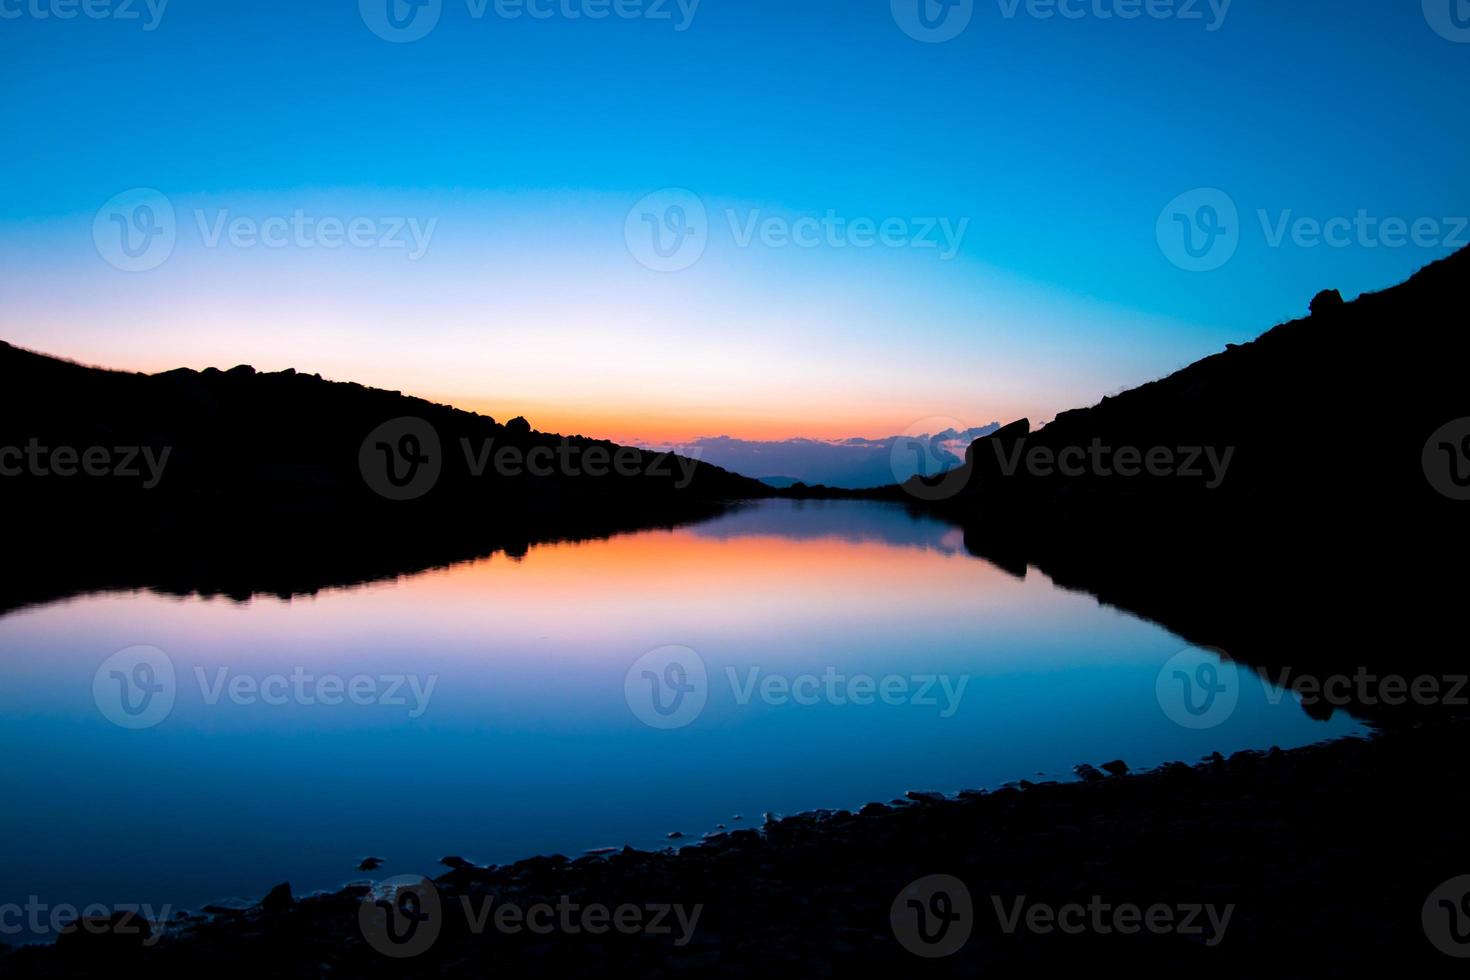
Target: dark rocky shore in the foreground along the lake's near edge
column 1315, row 863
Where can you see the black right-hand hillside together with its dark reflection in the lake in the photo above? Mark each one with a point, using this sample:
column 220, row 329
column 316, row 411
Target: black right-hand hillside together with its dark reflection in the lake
column 1327, row 546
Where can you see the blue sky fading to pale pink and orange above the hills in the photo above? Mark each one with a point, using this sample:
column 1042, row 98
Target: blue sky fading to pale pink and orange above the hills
column 871, row 218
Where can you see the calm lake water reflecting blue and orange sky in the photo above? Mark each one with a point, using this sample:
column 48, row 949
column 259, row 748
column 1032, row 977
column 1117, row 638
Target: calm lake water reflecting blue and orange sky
column 849, row 653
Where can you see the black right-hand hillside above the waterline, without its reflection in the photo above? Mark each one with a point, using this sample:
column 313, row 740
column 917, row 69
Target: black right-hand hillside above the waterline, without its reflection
column 1321, row 415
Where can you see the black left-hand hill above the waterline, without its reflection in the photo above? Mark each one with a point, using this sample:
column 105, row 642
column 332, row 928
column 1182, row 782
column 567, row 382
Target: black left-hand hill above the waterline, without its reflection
column 292, row 443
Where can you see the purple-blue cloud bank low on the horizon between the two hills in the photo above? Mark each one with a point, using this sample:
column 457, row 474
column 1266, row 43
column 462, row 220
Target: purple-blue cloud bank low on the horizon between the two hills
column 850, row 464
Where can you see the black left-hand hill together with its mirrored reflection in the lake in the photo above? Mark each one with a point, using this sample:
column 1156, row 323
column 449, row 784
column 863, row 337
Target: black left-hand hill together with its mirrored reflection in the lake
column 267, row 483
